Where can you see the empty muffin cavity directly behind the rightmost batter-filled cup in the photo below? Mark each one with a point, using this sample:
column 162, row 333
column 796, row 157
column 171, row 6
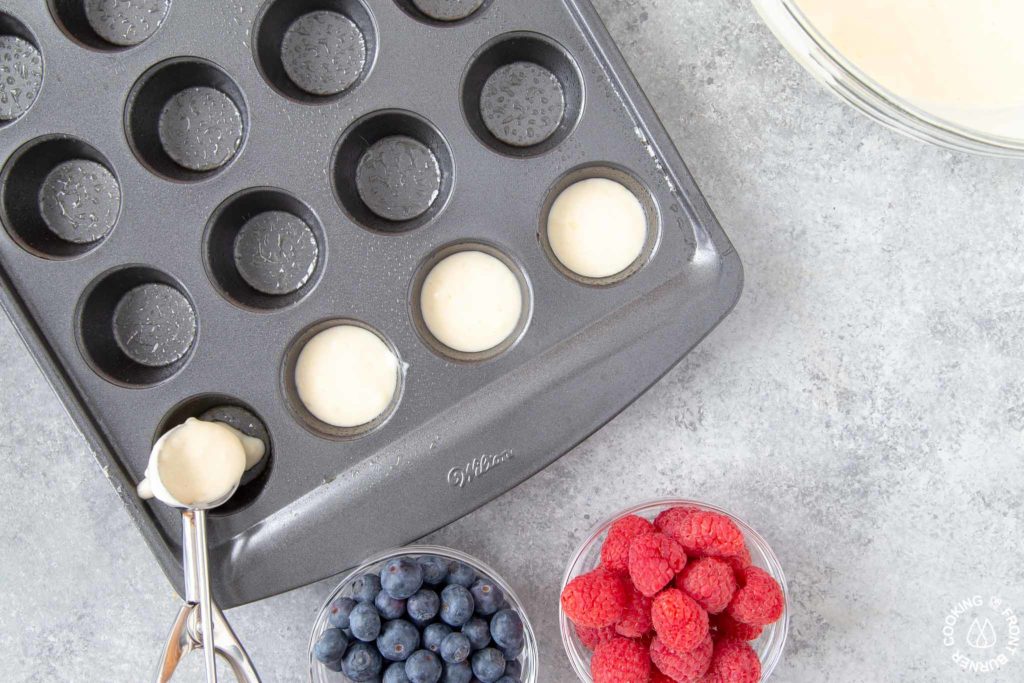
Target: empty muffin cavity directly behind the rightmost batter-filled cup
column 523, row 95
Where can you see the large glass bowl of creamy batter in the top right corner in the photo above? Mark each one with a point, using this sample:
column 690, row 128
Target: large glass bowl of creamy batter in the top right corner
column 951, row 74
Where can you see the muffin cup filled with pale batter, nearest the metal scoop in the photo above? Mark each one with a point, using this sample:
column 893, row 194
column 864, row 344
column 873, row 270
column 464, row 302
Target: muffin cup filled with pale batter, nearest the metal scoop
column 343, row 379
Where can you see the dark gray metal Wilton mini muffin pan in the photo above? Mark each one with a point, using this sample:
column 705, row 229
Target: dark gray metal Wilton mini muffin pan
column 190, row 191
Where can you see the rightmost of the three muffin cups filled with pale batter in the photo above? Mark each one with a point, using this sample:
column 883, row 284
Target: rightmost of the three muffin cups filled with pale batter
column 600, row 226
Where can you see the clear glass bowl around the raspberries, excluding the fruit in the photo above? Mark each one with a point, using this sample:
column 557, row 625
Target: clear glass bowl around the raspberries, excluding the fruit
column 770, row 647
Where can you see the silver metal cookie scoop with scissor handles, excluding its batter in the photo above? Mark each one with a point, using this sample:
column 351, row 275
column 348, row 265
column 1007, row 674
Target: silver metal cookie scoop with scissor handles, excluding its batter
column 200, row 624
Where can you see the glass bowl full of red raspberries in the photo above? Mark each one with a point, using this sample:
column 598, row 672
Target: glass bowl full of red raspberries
column 674, row 591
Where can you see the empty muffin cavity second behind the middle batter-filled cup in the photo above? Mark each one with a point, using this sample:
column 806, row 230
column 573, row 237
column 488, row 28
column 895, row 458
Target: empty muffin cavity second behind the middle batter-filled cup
column 315, row 51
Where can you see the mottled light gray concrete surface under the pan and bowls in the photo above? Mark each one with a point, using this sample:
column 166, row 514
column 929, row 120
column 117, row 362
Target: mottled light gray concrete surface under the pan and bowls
column 864, row 407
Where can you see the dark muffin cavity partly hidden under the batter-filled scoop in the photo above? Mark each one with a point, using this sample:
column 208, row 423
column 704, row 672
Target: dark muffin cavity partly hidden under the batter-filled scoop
column 231, row 411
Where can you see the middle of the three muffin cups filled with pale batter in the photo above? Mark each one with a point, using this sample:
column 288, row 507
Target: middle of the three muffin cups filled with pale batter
column 472, row 303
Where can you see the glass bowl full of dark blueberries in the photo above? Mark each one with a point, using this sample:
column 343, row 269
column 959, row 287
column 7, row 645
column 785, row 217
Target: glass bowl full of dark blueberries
column 423, row 615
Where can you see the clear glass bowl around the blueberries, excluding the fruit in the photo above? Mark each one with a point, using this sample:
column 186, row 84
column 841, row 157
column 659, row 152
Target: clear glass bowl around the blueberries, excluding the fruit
column 321, row 674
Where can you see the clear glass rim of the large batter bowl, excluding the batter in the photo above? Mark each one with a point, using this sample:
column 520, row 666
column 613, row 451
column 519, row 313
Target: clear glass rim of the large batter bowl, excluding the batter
column 816, row 54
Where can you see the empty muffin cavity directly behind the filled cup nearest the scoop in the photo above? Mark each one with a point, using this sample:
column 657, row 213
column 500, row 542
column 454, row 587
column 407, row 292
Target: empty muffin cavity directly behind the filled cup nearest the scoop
column 265, row 249
